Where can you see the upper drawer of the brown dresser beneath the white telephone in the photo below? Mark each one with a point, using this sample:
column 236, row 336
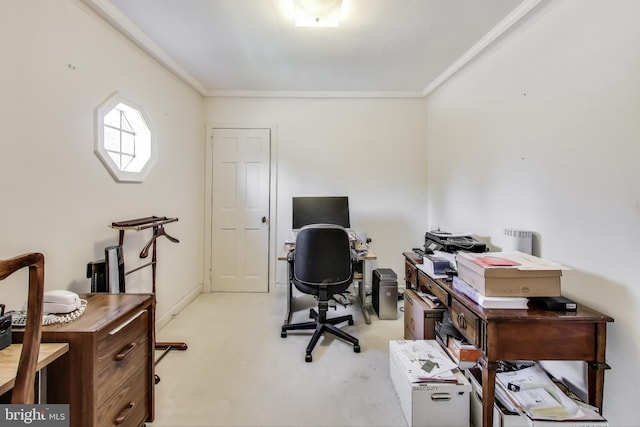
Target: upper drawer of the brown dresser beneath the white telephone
column 122, row 352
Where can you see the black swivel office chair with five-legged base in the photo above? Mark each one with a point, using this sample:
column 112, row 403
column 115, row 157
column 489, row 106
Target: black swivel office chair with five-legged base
column 322, row 265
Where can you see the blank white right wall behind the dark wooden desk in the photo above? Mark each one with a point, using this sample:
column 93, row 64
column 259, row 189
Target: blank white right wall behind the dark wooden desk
column 544, row 134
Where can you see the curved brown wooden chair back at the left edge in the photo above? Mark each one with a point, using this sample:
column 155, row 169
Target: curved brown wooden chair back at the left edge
column 23, row 390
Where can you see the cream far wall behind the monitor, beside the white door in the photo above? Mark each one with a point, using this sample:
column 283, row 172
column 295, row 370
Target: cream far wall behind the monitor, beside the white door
column 371, row 150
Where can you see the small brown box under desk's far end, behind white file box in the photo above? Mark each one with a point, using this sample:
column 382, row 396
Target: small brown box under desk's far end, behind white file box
column 419, row 318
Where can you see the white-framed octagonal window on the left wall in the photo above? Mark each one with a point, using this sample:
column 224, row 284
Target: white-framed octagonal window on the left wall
column 125, row 140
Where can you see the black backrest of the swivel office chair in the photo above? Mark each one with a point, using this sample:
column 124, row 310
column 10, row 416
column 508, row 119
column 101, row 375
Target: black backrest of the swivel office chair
column 323, row 256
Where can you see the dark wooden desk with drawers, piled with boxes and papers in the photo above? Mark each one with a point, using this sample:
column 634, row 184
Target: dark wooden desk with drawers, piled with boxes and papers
column 532, row 334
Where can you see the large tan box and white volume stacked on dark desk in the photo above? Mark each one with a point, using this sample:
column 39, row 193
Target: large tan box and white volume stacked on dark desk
column 506, row 279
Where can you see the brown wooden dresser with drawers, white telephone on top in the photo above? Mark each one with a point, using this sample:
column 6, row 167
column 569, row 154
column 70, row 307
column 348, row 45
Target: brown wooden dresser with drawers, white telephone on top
column 107, row 377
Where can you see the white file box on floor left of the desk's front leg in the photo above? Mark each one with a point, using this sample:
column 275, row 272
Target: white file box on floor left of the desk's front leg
column 430, row 404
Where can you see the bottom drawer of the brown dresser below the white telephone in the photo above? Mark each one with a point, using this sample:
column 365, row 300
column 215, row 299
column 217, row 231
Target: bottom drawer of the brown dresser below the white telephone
column 127, row 406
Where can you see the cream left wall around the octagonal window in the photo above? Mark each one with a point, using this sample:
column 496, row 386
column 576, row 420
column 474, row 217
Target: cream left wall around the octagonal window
column 59, row 61
